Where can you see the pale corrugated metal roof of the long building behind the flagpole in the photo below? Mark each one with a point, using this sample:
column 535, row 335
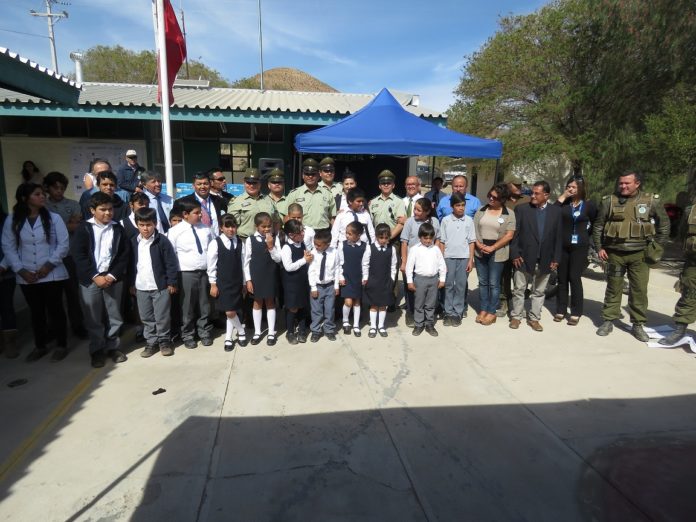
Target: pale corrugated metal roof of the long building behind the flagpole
column 215, row 98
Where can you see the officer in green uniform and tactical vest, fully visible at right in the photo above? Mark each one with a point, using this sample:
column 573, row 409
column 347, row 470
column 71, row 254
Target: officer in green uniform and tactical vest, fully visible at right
column 627, row 223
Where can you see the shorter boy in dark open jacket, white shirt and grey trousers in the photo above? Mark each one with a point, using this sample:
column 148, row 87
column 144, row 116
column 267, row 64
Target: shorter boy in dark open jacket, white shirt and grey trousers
column 155, row 269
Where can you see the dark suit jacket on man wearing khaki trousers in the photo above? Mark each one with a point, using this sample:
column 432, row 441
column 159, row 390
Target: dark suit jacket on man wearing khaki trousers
column 526, row 242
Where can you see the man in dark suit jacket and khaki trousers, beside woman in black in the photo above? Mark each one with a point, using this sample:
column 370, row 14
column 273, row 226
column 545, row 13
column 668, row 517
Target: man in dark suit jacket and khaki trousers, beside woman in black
column 535, row 251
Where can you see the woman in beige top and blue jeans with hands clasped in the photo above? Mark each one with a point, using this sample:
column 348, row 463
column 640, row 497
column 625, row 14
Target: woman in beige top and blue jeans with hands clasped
column 494, row 225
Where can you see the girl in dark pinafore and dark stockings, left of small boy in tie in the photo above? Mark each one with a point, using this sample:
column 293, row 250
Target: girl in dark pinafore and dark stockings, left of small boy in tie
column 296, row 259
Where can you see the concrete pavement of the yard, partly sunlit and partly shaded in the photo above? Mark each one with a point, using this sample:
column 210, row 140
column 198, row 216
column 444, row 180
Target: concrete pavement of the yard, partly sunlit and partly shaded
column 481, row 423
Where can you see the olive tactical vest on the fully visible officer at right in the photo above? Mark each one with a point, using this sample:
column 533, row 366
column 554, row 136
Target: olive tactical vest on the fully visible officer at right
column 630, row 221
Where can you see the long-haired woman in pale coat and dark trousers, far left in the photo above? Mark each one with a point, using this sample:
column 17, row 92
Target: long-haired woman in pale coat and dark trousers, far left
column 35, row 241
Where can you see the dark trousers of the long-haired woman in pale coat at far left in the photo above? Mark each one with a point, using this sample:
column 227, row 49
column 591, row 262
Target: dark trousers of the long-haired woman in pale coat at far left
column 45, row 301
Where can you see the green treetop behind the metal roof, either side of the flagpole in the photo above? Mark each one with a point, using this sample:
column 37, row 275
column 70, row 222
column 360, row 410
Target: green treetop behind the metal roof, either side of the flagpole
column 120, row 65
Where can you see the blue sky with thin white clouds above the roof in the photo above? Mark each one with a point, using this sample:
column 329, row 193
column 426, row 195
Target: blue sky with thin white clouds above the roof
column 355, row 45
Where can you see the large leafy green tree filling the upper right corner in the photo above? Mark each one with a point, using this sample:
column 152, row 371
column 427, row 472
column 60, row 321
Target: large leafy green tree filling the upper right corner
column 577, row 78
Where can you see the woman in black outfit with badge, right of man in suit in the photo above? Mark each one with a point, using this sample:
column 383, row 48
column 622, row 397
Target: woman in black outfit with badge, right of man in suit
column 577, row 214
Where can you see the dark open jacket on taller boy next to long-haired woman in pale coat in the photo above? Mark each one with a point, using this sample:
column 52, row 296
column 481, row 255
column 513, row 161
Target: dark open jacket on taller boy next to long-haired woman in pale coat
column 82, row 250
